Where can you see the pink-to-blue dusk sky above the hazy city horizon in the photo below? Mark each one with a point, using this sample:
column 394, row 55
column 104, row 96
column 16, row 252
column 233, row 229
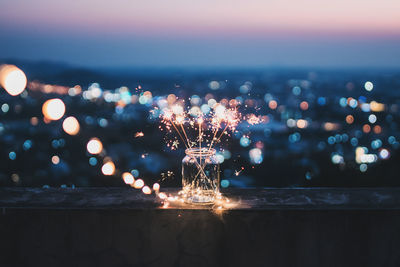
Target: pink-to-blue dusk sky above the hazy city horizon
column 235, row 33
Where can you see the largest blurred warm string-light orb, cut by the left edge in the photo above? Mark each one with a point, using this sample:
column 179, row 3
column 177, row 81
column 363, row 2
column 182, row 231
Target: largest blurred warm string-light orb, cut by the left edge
column 12, row 79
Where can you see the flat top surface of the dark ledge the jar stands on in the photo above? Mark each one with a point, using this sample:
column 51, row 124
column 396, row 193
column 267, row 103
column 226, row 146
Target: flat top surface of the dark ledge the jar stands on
column 253, row 199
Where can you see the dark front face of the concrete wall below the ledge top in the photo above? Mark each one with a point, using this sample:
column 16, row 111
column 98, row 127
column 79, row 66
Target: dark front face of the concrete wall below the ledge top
column 115, row 236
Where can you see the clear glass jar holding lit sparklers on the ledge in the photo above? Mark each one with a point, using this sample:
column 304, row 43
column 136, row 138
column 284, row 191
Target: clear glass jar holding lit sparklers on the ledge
column 200, row 175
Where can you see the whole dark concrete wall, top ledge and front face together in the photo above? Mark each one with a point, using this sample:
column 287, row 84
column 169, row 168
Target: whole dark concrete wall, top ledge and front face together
column 273, row 227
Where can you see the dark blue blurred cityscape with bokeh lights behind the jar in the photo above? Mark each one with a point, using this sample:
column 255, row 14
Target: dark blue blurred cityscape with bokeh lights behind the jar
column 316, row 127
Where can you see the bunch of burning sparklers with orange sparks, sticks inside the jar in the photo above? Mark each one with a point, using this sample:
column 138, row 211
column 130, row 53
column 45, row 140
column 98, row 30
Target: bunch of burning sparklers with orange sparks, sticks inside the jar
column 217, row 123
